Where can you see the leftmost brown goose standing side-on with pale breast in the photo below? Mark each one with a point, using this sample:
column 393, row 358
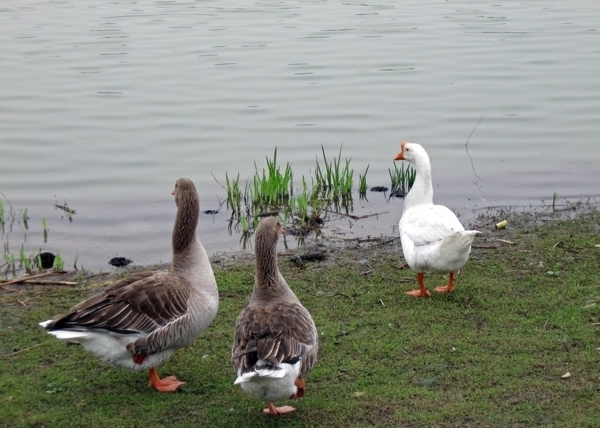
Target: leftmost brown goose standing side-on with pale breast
column 139, row 321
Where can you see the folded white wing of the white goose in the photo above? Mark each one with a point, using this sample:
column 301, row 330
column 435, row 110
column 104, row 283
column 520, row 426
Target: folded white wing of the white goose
column 425, row 225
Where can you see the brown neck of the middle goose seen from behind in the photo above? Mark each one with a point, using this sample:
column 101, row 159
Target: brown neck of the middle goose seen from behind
column 268, row 284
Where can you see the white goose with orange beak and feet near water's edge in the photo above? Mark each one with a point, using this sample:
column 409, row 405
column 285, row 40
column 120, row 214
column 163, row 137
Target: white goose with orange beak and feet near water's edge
column 432, row 238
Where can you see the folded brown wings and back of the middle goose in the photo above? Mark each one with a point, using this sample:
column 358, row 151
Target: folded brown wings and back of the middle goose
column 281, row 333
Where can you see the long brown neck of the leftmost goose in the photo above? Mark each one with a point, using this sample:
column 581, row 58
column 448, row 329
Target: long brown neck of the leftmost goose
column 186, row 221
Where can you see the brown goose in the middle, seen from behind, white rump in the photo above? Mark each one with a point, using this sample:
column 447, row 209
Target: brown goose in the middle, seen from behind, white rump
column 275, row 338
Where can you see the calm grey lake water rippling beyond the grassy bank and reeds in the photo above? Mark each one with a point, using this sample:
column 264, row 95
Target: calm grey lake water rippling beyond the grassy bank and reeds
column 105, row 104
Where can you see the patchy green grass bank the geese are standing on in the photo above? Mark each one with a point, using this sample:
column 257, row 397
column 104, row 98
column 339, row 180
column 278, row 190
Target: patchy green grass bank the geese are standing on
column 490, row 354
